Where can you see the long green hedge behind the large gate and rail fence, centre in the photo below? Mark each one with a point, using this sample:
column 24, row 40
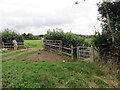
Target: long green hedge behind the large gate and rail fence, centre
column 68, row 38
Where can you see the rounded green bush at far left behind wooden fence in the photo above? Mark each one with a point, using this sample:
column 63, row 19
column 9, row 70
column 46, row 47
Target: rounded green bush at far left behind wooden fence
column 8, row 35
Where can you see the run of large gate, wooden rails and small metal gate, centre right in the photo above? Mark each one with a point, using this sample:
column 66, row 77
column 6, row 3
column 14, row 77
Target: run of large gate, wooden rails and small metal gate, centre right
column 82, row 51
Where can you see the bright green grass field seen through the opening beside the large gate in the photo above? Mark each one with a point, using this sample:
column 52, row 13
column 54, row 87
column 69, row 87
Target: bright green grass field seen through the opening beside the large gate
column 33, row 43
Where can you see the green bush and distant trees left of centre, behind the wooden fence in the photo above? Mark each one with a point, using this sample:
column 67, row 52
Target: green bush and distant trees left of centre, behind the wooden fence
column 8, row 35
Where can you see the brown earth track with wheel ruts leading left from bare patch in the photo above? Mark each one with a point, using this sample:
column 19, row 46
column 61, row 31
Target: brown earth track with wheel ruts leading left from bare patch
column 41, row 56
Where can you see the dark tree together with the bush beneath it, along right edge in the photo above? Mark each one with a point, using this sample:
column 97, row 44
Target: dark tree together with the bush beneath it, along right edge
column 108, row 43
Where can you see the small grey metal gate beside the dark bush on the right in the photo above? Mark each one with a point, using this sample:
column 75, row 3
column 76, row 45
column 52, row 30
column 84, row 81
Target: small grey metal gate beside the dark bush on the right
column 85, row 52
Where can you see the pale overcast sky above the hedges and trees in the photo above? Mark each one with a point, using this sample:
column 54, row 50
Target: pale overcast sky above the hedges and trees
column 37, row 16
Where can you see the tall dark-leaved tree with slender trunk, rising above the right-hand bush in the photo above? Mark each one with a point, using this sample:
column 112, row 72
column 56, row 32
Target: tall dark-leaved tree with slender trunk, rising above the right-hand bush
column 110, row 17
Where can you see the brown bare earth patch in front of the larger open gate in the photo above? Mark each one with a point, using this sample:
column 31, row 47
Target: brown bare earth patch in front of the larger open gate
column 43, row 56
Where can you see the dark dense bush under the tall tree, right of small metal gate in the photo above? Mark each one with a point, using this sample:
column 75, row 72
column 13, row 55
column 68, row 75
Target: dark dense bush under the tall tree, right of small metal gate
column 105, row 46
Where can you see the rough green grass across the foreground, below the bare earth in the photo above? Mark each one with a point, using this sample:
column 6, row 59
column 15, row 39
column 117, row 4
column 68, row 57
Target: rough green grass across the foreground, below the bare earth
column 28, row 74
